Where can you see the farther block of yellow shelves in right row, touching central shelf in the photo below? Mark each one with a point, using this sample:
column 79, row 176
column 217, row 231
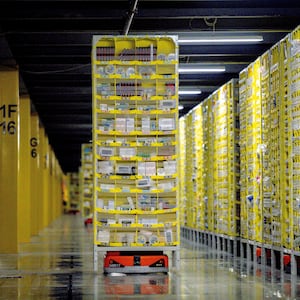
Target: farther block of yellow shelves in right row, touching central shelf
column 212, row 163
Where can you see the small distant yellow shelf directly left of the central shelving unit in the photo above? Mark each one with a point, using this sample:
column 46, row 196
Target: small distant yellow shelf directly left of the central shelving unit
column 86, row 180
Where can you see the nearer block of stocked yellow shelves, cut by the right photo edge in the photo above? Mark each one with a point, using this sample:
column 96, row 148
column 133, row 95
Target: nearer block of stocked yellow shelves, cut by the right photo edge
column 269, row 92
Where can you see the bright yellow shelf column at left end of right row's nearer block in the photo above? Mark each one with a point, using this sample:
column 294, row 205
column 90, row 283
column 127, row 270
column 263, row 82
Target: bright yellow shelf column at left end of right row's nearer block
column 251, row 151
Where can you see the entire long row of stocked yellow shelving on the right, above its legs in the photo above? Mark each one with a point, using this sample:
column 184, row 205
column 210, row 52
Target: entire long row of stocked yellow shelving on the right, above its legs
column 263, row 129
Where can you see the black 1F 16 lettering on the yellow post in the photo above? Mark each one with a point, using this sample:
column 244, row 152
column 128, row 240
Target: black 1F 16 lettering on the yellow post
column 7, row 124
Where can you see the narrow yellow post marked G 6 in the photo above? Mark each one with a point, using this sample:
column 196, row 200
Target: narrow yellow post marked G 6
column 34, row 172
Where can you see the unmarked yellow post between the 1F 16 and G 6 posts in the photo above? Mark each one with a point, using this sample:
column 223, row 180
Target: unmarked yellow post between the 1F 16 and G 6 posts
column 24, row 186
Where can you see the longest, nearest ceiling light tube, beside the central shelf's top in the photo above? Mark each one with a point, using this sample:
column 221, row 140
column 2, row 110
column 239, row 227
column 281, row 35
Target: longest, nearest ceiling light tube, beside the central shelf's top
column 220, row 39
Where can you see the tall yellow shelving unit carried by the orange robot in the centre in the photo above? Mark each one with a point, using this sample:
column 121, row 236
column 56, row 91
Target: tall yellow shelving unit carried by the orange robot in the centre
column 135, row 140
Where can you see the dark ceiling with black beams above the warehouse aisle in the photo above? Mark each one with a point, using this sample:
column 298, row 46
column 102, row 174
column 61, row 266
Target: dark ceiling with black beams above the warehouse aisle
column 50, row 42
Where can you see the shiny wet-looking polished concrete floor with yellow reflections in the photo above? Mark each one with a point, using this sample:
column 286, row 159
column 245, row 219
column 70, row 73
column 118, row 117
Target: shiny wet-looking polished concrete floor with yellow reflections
column 58, row 264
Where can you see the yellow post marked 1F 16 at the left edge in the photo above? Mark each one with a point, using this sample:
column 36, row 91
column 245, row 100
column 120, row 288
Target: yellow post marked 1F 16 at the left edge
column 9, row 160
